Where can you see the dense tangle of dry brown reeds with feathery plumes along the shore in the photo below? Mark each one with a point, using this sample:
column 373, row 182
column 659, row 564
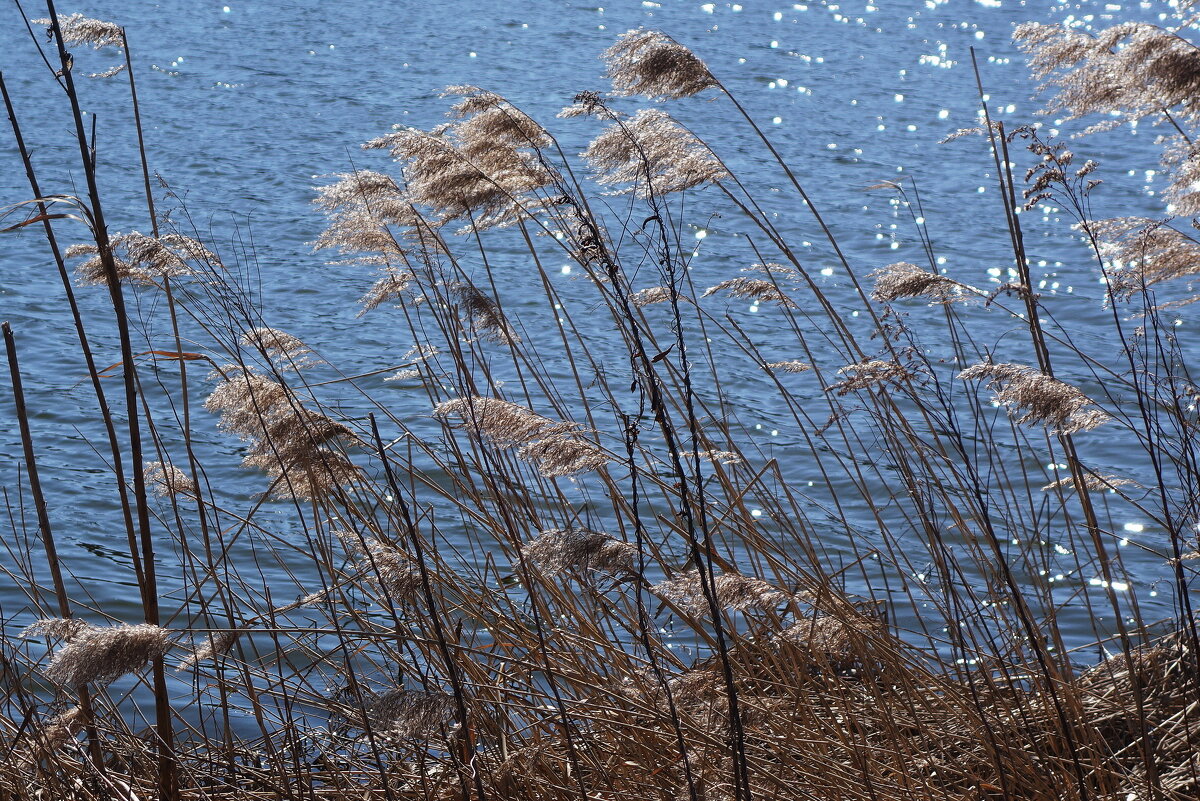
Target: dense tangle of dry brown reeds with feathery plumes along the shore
column 572, row 576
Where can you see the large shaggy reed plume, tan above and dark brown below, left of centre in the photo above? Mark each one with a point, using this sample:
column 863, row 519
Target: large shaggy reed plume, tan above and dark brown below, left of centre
column 295, row 445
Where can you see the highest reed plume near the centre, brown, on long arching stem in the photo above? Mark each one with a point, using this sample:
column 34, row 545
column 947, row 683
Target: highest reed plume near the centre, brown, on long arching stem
column 652, row 64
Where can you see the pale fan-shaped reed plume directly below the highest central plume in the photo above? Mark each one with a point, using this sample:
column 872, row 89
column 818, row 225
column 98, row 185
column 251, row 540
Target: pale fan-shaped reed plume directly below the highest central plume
column 652, row 155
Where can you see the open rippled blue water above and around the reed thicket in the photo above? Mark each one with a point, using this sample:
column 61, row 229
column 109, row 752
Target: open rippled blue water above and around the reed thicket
column 250, row 106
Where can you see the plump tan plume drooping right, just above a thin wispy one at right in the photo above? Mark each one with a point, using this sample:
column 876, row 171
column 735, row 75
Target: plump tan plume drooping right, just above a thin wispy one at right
column 1039, row 398
